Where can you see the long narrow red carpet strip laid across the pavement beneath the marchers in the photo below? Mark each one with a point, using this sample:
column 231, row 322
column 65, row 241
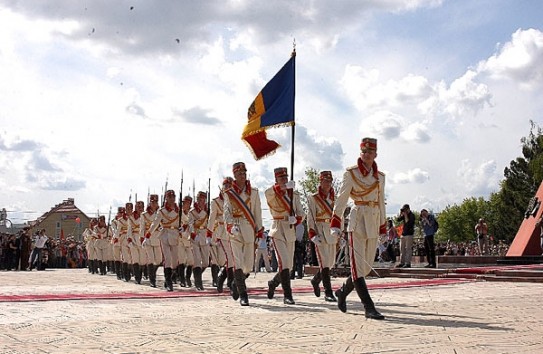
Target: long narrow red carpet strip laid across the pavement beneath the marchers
column 184, row 292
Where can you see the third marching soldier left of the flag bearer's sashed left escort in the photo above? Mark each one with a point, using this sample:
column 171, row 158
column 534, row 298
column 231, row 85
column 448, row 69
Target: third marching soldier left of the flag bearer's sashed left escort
column 184, row 248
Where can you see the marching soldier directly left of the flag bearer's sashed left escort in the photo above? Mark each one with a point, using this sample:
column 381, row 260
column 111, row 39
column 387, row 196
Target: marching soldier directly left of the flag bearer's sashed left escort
column 216, row 228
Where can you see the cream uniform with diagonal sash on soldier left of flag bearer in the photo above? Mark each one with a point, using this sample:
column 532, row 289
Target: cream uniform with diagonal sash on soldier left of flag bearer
column 242, row 208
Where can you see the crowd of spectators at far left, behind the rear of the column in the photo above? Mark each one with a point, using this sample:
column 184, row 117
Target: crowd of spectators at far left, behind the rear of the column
column 16, row 250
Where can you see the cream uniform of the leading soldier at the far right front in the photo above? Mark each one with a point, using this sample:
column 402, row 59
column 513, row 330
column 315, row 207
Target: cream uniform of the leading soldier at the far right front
column 366, row 217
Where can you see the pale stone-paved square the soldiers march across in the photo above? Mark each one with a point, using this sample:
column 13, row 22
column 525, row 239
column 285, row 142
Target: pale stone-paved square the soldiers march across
column 445, row 317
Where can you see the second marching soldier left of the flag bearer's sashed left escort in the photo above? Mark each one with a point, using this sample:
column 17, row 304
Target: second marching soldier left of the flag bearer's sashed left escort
column 200, row 242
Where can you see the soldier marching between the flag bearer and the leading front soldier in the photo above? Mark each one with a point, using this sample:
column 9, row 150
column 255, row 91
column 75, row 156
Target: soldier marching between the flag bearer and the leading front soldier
column 321, row 205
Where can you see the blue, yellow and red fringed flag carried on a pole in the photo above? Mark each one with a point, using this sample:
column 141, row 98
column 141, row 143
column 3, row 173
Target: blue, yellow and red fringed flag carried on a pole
column 273, row 107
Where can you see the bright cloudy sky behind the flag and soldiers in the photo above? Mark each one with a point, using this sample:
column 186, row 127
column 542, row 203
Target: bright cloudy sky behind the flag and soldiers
column 100, row 99
